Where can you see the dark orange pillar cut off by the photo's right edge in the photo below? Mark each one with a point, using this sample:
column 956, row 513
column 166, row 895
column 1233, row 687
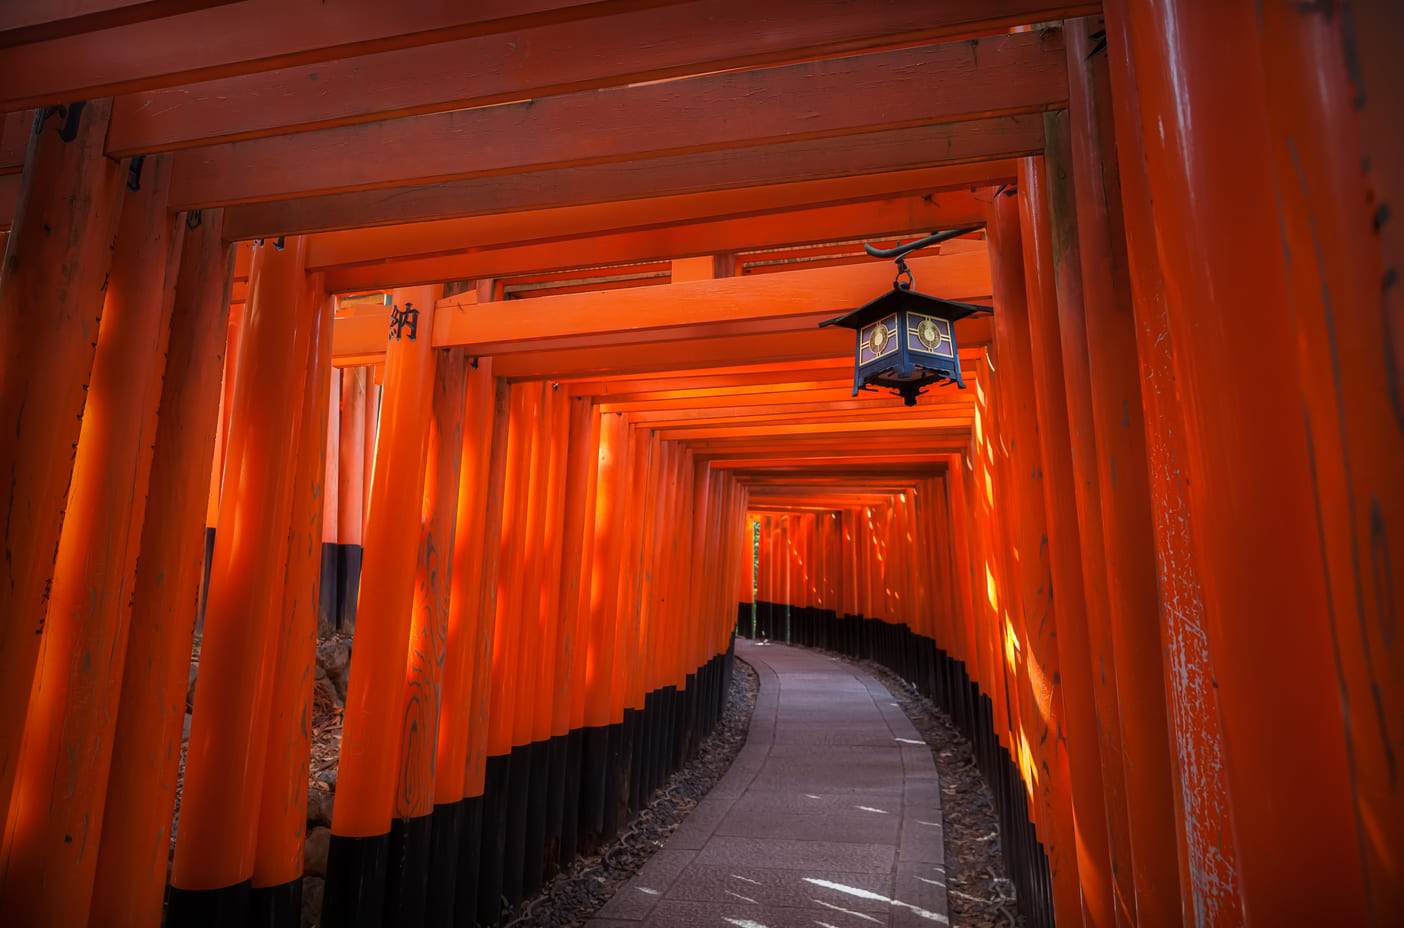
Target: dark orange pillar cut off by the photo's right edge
column 1354, row 404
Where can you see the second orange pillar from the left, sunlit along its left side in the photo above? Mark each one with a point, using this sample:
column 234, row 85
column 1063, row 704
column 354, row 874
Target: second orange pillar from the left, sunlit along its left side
column 61, row 784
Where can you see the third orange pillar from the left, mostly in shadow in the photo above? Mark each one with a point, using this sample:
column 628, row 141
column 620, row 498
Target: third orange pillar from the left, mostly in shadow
column 141, row 788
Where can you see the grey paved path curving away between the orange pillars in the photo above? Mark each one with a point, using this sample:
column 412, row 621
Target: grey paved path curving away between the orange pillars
column 830, row 818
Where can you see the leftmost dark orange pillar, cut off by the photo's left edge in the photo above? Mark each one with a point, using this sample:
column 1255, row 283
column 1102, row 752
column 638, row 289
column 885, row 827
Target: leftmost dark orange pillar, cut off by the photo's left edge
column 57, row 258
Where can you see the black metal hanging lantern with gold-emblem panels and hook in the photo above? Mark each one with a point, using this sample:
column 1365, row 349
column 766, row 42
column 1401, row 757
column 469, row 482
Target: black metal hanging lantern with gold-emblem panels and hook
column 908, row 340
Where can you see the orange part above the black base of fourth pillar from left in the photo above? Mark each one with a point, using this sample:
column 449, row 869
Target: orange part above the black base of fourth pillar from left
column 228, row 741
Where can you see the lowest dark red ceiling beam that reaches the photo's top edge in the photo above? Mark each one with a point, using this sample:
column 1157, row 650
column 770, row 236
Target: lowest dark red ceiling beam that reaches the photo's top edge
column 609, row 51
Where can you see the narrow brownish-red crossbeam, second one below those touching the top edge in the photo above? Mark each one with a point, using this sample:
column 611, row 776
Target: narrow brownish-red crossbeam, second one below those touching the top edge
column 682, row 187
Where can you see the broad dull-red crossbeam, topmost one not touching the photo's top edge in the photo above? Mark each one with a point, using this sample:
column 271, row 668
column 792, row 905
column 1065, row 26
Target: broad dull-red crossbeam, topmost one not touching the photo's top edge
column 930, row 86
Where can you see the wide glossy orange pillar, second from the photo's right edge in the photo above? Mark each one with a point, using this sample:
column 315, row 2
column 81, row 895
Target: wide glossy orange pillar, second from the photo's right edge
column 1201, row 91
